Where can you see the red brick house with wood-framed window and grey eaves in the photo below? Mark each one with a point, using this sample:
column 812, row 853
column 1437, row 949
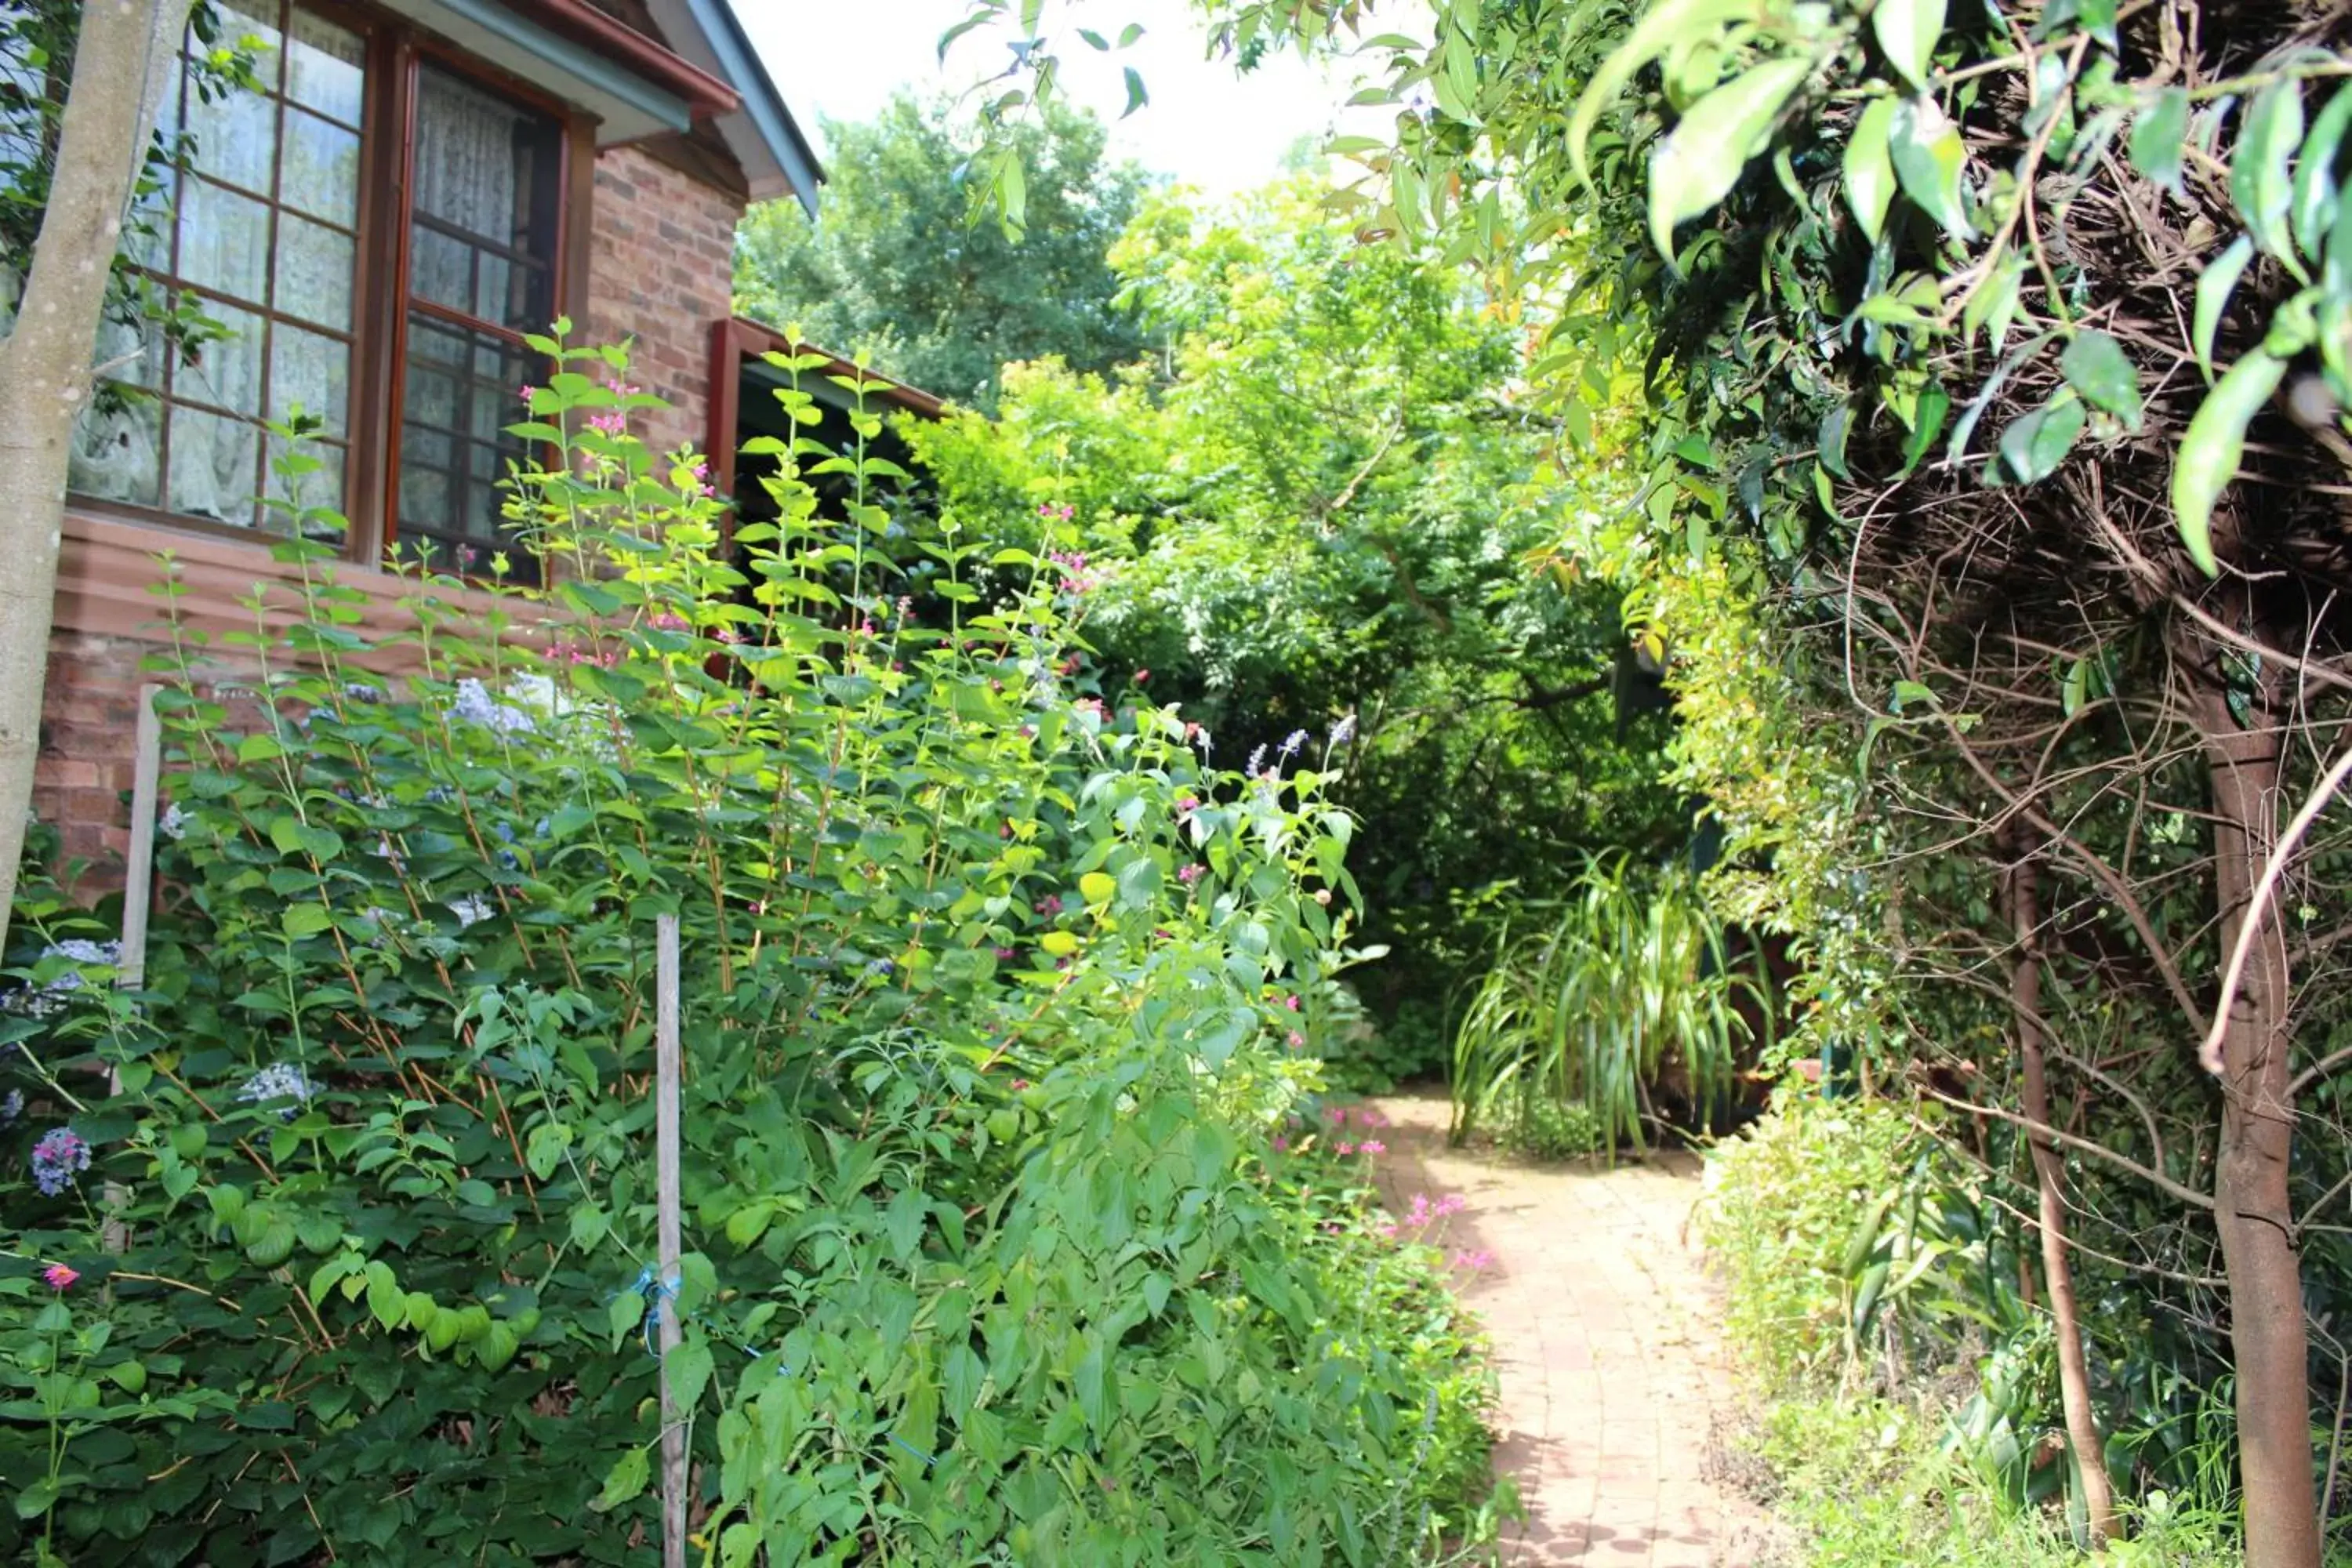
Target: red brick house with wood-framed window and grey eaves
column 420, row 185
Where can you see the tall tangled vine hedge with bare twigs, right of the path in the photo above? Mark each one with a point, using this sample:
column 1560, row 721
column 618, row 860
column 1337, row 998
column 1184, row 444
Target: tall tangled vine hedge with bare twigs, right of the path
column 1982, row 377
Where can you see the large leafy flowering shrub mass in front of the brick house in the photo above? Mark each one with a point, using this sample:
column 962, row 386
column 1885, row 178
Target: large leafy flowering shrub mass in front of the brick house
column 991, row 1003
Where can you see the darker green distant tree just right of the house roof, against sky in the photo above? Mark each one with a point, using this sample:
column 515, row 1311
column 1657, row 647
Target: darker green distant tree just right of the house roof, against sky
column 947, row 304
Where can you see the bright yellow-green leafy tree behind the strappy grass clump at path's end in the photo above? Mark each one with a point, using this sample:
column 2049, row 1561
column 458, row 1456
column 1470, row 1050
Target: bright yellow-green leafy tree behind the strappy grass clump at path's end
column 1321, row 507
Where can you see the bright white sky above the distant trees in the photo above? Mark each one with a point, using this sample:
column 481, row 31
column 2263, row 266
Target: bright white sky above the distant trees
column 1203, row 126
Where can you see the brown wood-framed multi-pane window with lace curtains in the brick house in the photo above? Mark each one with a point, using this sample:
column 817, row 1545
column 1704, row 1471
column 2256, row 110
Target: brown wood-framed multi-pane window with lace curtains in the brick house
column 394, row 323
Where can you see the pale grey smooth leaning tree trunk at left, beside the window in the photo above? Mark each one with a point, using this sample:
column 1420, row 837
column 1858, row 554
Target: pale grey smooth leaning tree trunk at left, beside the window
column 123, row 62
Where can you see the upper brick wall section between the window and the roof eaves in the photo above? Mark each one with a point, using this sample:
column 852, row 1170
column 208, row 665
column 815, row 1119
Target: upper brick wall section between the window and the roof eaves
column 662, row 272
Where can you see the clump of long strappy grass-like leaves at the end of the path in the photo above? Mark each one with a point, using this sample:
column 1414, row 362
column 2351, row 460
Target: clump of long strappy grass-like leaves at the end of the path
column 1626, row 989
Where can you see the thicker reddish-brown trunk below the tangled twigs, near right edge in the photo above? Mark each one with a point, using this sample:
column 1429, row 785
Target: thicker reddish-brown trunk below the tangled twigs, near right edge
column 2250, row 1174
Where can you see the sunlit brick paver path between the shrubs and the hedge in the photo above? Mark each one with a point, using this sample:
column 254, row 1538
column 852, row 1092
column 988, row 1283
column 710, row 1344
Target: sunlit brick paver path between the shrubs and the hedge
column 1605, row 1346
